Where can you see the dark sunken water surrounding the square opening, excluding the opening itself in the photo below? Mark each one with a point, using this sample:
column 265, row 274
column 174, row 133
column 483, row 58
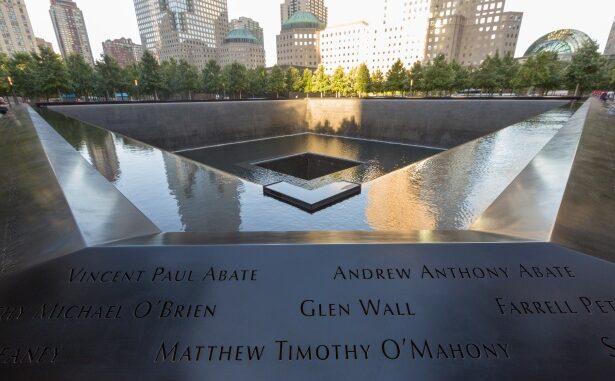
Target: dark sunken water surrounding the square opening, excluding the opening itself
column 378, row 158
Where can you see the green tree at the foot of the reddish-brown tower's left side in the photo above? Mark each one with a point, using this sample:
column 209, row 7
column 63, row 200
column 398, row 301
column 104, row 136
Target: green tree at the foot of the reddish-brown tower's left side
column 52, row 73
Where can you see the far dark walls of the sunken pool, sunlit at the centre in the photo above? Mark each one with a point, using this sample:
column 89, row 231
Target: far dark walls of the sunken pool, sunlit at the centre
column 435, row 123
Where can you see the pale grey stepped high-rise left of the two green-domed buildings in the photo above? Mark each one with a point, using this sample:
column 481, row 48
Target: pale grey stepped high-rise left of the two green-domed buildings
column 182, row 29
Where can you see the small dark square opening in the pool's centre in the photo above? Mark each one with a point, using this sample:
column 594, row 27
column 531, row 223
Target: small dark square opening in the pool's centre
column 308, row 166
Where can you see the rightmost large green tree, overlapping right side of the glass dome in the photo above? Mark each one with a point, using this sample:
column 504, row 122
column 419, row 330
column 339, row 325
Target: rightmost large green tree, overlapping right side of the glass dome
column 586, row 69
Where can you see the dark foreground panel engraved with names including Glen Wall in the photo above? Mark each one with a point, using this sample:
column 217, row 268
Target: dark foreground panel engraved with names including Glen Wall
column 394, row 312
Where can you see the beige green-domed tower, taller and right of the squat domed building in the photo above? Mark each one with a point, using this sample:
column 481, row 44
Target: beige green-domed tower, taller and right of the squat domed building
column 298, row 44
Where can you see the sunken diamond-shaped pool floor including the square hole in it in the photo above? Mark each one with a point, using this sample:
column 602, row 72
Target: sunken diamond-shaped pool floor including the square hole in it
column 309, row 160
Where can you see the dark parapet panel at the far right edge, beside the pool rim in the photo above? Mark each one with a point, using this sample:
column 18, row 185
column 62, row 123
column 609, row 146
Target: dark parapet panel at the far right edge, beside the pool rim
column 586, row 218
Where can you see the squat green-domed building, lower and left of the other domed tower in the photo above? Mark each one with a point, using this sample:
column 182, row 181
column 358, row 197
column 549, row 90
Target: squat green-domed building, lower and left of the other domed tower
column 241, row 46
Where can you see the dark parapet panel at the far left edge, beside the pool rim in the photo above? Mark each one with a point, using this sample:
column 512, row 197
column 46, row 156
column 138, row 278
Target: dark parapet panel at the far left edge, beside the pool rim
column 36, row 223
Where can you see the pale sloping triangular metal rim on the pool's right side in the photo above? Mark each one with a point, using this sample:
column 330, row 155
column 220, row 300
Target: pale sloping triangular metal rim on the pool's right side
column 529, row 206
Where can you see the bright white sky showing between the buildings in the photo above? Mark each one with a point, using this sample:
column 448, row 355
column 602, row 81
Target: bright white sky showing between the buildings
column 110, row 19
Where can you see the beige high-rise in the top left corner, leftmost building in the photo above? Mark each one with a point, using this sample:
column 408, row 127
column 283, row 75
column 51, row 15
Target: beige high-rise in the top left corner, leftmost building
column 17, row 33
